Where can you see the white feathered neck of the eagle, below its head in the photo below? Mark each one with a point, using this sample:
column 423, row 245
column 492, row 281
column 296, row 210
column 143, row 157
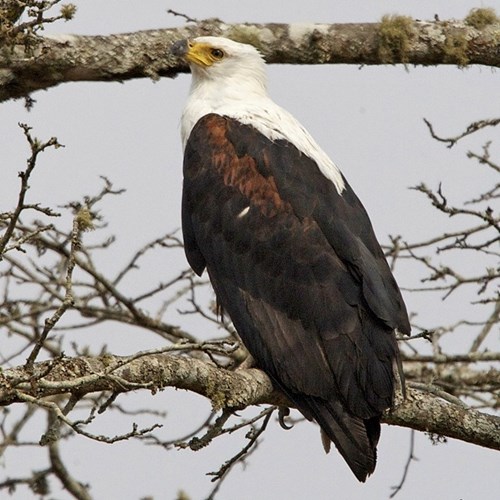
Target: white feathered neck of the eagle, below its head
column 242, row 95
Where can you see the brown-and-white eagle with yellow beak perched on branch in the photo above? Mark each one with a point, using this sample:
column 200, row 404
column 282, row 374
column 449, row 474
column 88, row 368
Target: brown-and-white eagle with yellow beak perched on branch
column 289, row 249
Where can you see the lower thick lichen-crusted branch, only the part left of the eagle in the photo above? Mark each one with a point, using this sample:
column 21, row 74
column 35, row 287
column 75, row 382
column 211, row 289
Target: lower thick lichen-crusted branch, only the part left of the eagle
column 153, row 371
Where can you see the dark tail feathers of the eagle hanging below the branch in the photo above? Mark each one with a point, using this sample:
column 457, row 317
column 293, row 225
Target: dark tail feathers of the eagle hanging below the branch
column 355, row 438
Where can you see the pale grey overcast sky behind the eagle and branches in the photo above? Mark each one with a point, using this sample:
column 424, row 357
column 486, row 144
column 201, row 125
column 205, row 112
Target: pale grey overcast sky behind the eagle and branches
column 368, row 119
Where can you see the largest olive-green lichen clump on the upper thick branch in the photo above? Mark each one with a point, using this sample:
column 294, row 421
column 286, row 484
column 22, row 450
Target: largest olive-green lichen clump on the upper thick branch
column 394, row 36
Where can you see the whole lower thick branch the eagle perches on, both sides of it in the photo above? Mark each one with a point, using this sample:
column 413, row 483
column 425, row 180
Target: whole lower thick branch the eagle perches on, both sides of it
column 226, row 389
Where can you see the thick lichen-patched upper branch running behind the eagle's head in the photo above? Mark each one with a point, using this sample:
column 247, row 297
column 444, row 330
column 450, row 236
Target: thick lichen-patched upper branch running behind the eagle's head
column 50, row 61
